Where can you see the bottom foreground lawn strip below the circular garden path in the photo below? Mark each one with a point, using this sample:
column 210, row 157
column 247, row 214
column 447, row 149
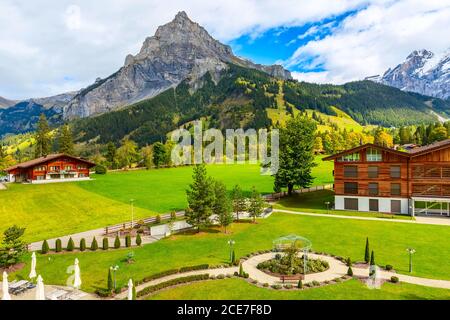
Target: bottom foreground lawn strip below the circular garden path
column 238, row 289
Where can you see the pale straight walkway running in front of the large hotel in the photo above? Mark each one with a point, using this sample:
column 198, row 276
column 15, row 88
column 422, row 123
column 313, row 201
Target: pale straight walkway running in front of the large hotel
column 419, row 220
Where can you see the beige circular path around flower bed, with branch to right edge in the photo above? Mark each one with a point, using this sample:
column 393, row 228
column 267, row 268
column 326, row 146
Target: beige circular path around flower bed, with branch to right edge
column 337, row 269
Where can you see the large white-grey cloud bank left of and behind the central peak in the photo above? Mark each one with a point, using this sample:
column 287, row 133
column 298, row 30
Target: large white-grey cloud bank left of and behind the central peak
column 43, row 42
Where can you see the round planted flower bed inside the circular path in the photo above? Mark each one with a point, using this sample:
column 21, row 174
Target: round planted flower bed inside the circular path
column 290, row 265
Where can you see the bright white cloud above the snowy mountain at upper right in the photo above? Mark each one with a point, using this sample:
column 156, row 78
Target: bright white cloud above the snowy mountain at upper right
column 378, row 37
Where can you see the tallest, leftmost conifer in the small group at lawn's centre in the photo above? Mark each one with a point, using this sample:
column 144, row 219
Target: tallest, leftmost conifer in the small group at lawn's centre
column 200, row 197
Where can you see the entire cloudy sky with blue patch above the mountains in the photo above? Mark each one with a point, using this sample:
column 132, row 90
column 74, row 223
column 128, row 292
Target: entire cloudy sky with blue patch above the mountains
column 71, row 43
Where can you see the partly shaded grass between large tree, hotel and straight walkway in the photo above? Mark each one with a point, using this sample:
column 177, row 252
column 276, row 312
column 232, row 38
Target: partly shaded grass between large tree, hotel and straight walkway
column 314, row 202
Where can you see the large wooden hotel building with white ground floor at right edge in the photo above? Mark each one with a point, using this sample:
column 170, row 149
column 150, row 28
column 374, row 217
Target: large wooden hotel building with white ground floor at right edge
column 375, row 178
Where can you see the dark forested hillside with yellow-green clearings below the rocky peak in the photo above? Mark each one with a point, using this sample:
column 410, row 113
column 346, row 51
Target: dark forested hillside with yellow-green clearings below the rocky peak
column 250, row 98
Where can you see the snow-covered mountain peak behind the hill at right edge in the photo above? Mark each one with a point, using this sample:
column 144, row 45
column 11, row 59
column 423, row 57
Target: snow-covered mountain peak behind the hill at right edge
column 422, row 72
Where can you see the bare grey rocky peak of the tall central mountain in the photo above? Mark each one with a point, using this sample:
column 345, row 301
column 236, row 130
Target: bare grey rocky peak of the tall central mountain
column 179, row 50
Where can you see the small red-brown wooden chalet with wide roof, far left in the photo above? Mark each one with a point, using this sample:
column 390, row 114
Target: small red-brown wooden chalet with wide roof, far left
column 51, row 168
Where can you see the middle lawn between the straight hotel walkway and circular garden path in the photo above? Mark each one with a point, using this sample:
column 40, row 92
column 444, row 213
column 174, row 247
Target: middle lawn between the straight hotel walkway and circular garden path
column 344, row 237
